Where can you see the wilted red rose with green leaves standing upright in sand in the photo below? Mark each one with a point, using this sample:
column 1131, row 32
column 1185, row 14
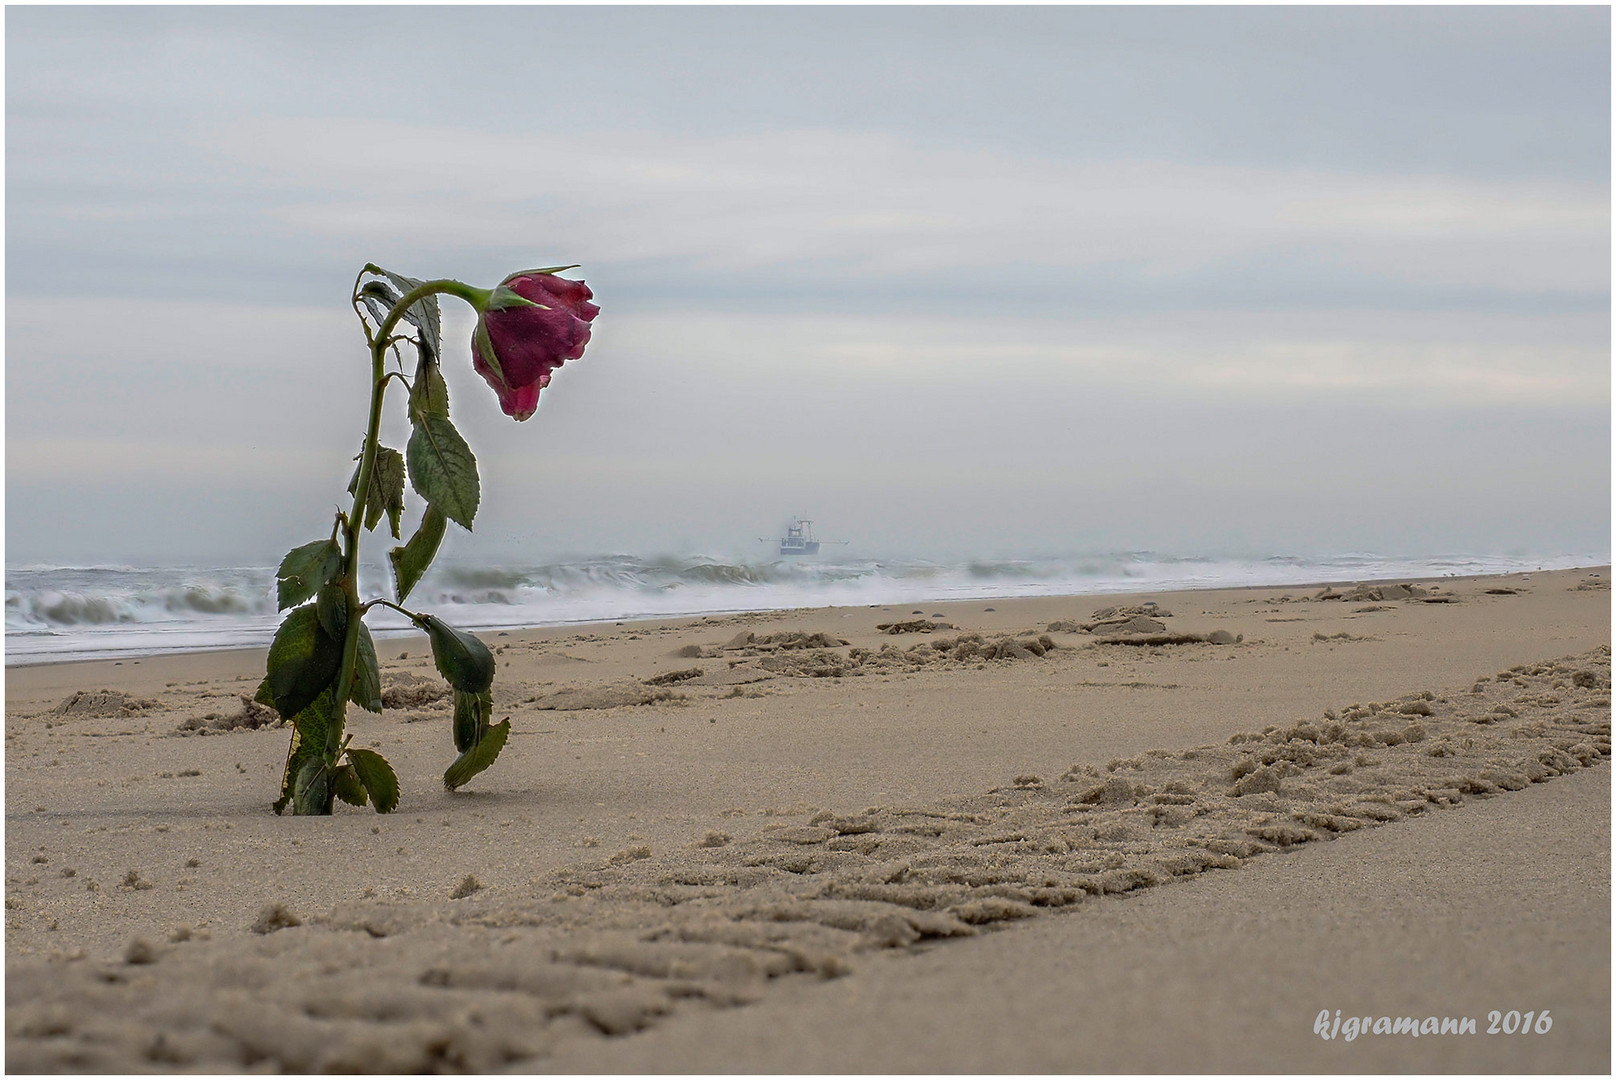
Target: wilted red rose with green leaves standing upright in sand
column 324, row 657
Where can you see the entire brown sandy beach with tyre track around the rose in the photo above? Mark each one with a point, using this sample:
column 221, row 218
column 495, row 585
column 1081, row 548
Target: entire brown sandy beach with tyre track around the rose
column 843, row 858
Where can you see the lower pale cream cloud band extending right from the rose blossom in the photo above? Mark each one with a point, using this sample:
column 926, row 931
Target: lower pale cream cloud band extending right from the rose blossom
column 1213, row 356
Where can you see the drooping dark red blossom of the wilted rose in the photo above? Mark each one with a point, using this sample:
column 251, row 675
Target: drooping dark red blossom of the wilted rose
column 534, row 324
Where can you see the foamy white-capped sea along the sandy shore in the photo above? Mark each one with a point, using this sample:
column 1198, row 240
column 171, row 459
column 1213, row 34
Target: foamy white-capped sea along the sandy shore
column 56, row 614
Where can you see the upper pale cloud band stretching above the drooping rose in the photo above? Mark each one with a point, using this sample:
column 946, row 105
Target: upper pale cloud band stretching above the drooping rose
column 880, row 206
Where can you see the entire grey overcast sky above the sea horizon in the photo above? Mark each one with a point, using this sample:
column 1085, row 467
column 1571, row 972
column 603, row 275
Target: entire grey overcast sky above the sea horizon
column 949, row 281
